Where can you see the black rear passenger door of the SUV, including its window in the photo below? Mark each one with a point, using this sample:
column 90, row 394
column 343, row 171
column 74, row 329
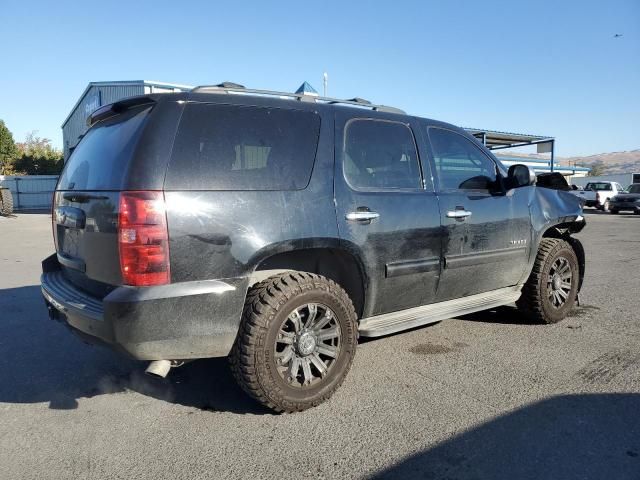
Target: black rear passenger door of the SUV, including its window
column 386, row 212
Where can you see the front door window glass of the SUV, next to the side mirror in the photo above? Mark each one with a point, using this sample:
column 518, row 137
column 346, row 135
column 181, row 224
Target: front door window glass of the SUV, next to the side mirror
column 459, row 163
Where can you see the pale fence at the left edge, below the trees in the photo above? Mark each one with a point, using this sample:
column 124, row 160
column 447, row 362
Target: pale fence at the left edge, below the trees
column 30, row 192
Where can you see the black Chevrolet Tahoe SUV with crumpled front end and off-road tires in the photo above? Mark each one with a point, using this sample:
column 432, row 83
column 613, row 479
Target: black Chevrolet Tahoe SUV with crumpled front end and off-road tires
column 274, row 228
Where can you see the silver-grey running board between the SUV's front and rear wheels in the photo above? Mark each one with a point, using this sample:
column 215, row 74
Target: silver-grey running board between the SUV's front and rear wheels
column 423, row 315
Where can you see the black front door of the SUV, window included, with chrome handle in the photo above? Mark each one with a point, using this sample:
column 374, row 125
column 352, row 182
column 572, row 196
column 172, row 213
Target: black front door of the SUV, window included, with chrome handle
column 487, row 232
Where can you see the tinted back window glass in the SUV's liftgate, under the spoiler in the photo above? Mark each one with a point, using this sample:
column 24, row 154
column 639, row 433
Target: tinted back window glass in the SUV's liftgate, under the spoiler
column 100, row 160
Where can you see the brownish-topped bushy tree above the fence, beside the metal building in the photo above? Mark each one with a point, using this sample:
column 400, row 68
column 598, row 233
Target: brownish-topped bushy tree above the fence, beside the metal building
column 36, row 156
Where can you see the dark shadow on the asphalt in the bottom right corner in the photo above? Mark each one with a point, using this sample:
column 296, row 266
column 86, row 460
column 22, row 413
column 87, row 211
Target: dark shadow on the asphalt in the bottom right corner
column 586, row 436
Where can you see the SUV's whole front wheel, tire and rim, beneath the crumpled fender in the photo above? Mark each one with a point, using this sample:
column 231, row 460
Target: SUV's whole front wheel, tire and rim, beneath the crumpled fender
column 550, row 292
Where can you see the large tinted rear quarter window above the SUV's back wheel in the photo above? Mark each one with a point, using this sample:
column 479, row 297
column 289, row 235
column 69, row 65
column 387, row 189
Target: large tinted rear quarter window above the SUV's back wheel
column 229, row 147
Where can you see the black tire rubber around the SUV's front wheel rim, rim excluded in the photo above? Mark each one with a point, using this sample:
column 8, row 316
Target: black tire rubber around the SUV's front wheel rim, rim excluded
column 535, row 302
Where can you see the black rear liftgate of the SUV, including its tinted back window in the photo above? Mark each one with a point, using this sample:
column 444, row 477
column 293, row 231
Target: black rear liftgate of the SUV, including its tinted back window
column 89, row 196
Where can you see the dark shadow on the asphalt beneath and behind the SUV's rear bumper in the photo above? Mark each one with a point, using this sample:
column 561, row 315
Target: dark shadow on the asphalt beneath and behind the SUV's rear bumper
column 42, row 361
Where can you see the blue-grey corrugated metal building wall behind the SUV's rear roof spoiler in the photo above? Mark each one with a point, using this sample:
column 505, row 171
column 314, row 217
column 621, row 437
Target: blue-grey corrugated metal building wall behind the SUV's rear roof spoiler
column 77, row 124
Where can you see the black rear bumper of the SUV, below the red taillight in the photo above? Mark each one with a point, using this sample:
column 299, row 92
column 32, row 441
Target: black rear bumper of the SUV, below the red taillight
column 171, row 322
